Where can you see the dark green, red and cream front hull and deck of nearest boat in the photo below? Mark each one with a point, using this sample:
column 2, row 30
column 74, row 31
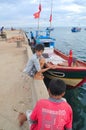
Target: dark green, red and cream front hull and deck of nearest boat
column 74, row 75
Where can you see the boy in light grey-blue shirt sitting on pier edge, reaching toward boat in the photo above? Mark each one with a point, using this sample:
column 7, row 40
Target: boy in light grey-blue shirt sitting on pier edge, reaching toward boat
column 34, row 67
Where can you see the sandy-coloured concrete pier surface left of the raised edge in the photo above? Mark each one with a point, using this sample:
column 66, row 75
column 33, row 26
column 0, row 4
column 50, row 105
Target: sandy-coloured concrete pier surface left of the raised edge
column 15, row 93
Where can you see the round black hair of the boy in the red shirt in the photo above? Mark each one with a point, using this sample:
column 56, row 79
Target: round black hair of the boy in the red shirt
column 57, row 87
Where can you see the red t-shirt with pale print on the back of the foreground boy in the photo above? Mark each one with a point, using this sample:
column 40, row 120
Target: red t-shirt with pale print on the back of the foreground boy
column 51, row 115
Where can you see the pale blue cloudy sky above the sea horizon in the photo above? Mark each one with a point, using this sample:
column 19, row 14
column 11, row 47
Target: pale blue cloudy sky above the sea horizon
column 19, row 13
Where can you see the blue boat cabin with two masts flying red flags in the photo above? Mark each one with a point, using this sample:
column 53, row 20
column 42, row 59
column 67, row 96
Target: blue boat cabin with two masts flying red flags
column 42, row 36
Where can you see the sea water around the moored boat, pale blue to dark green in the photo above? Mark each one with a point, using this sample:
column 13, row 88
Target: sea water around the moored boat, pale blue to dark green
column 66, row 40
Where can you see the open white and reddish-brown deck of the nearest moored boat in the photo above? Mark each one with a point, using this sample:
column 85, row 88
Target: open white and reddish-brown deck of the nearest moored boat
column 61, row 60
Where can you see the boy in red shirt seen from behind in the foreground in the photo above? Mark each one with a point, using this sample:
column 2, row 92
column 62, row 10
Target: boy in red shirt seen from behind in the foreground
column 53, row 113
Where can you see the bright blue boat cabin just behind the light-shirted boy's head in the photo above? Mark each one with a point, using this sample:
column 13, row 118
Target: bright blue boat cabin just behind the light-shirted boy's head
column 43, row 37
